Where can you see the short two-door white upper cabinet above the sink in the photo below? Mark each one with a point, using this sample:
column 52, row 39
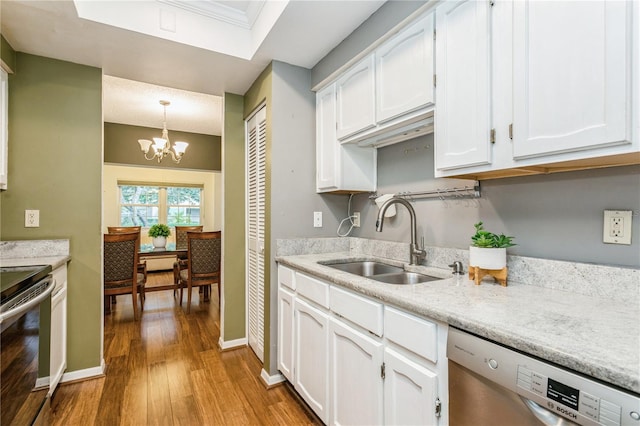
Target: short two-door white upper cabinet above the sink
column 388, row 96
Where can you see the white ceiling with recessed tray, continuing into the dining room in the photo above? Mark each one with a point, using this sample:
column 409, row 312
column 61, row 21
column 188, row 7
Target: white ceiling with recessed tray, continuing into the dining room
column 187, row 52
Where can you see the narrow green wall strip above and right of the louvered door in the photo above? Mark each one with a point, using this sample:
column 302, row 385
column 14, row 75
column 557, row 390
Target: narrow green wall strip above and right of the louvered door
column 261, row 92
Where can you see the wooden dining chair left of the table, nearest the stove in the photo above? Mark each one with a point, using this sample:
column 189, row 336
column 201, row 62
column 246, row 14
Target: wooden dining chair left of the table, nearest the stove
column 121, row 274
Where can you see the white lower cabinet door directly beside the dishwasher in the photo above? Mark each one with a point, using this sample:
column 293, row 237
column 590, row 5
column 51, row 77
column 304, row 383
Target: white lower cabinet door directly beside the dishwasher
column 410, row 391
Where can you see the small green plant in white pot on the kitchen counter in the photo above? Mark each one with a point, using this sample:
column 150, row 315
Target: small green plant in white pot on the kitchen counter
column 489, row 250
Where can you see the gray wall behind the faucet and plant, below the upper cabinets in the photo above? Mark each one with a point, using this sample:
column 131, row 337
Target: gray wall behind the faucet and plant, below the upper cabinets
column 557, row 216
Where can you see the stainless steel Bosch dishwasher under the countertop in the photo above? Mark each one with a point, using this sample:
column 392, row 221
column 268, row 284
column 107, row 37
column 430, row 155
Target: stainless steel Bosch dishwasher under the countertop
column 490, row 384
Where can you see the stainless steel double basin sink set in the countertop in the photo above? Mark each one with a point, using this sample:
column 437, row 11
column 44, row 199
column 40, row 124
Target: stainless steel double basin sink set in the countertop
column 382, row 272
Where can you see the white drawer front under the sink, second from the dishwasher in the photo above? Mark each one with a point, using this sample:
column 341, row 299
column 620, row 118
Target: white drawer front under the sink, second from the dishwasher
column 357, row 309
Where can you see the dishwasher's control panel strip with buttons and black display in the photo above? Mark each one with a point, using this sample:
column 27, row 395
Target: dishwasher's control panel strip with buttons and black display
column 543, row 386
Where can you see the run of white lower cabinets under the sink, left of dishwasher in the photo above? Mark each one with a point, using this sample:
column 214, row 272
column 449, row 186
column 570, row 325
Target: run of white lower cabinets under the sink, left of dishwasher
column 356, row 361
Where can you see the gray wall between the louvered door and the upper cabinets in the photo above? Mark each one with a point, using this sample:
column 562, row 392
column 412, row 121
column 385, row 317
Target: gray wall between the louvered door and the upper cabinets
column 293, row 197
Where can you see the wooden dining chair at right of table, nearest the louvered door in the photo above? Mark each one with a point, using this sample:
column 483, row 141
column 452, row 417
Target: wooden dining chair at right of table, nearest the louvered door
column 203, row 263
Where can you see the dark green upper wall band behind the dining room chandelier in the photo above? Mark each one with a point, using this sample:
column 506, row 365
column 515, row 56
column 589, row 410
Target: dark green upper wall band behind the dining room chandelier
column 121, row 147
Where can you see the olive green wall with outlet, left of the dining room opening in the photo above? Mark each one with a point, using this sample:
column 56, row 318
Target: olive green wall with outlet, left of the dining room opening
column 55, row 163
